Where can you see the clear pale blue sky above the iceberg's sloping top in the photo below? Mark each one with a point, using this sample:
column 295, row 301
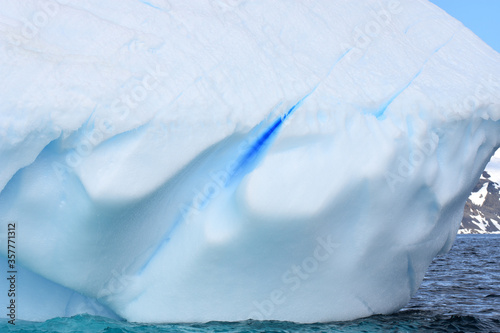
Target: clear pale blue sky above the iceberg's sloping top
column 480, row 16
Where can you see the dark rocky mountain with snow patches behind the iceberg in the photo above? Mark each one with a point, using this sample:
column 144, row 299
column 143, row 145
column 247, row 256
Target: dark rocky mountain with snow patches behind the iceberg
column 482, row 210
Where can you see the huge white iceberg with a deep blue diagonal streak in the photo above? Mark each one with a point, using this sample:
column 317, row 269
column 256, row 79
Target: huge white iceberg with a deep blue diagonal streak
column 192, row 161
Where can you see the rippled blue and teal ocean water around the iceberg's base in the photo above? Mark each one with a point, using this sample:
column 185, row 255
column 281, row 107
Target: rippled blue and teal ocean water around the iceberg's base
column 461, row 293
